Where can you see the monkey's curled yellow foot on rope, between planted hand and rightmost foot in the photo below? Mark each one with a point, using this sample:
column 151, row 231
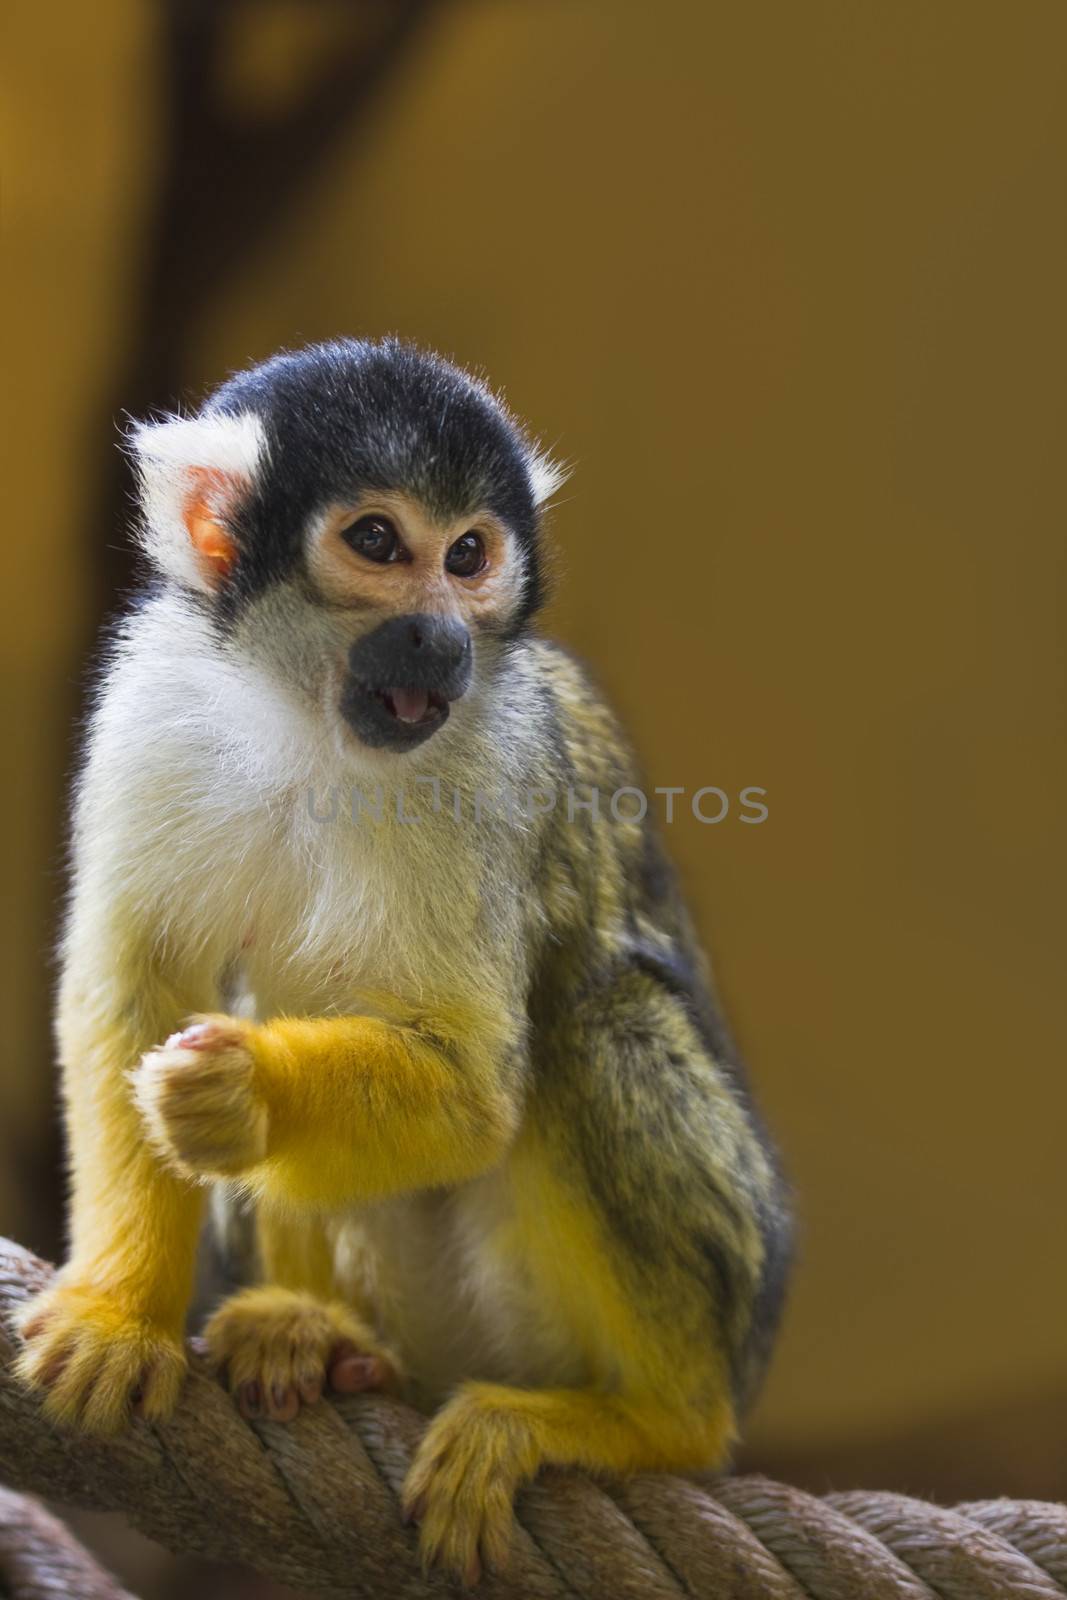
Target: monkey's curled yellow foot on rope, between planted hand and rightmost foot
column 279, row 1350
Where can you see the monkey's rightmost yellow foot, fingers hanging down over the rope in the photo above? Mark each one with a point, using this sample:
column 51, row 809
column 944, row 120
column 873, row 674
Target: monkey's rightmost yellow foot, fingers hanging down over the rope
column 463, row 1482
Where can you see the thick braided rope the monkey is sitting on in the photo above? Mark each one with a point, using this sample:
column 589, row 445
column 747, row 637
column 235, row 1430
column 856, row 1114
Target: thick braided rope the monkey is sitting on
column 314, row 1503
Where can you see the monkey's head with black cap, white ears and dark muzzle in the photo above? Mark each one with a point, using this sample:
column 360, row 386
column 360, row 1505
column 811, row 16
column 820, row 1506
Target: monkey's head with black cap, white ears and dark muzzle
column 359, row 521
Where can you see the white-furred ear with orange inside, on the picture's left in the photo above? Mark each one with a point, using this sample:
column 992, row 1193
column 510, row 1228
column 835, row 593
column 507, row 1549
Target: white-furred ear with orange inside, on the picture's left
column 193, row 471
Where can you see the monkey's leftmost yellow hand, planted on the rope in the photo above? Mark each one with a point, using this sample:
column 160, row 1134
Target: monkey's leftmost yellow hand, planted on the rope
column 97, row 1361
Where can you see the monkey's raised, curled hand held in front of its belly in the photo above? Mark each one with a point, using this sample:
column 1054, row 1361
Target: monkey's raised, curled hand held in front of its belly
column 199, row 1100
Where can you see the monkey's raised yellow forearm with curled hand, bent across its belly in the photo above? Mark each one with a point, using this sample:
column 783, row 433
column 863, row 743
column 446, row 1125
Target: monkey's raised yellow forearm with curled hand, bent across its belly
column 332, row 1111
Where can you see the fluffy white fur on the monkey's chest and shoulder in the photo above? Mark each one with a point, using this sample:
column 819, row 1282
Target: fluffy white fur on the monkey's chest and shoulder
column 223, row 814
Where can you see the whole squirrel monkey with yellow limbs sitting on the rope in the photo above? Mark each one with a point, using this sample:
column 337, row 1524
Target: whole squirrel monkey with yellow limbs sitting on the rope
column 463, row 1066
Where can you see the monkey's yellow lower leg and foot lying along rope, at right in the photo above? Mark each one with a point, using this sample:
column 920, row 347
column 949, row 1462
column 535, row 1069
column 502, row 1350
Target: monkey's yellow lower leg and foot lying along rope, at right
column 490, row 1439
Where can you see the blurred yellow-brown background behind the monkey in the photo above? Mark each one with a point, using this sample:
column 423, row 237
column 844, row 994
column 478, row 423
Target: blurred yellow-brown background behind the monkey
column 786, row 284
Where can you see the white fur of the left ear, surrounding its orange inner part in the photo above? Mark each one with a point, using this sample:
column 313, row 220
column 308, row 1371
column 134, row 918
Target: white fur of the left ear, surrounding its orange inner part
column 167, row 455
